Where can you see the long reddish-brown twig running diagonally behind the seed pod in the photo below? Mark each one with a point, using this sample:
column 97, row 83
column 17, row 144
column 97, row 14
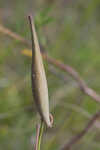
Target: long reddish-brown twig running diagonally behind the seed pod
column 83, row 86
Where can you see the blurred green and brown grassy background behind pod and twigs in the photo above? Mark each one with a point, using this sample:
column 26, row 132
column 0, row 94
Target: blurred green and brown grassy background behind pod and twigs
column 69, row 30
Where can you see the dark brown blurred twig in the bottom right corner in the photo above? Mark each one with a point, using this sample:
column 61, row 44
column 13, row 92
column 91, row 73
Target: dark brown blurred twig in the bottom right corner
column 78, row 137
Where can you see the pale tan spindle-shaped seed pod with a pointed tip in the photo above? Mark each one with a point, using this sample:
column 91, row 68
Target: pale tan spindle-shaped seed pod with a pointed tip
column 39, row 82
